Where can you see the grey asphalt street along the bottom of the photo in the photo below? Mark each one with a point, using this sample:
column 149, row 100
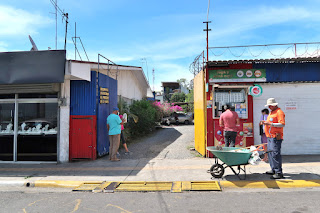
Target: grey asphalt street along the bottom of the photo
column 292, row 201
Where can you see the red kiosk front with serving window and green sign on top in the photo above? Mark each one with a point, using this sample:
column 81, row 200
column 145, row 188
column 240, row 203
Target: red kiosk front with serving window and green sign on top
column 235, row 87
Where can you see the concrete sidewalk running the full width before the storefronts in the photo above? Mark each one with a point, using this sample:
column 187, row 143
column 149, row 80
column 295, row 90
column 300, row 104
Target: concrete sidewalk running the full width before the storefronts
column 299, row 171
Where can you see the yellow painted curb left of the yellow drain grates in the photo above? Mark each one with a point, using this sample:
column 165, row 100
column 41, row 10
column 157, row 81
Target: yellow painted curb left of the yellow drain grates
column 61, row 183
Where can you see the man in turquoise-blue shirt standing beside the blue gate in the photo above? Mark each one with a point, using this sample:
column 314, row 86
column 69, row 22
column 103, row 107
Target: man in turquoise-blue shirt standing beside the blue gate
column 114, row 128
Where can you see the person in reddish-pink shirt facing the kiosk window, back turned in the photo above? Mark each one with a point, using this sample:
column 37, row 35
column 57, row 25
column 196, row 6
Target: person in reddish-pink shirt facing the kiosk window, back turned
column 229, row 121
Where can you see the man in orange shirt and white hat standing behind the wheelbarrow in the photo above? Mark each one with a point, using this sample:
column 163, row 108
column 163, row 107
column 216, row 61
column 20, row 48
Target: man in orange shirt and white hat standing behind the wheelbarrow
column 274, row 132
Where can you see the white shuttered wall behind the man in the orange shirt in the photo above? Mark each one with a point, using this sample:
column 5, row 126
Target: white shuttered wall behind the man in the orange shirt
column 302, row 130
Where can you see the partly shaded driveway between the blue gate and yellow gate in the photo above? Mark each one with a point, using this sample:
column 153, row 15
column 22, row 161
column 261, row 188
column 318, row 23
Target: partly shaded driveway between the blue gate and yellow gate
column 172, row 142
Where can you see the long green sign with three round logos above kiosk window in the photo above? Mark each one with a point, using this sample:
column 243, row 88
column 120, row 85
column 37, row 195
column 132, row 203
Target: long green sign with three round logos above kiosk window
column 237, row 75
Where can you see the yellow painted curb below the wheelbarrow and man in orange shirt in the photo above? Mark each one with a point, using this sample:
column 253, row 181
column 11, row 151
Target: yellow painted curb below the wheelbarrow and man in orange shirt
column 271, row 184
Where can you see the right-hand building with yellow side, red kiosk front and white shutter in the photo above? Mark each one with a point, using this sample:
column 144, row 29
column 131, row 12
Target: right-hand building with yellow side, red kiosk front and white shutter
column 246, row 85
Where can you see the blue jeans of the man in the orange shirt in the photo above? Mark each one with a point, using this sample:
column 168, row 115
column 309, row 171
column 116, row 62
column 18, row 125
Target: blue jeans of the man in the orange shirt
column 274, row 155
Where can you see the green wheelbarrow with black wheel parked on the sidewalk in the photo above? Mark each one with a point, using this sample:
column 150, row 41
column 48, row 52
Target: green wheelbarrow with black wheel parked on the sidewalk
column 230, row 156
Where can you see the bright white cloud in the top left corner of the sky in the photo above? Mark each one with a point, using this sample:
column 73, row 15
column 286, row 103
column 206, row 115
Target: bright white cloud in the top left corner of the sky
column 15, row 21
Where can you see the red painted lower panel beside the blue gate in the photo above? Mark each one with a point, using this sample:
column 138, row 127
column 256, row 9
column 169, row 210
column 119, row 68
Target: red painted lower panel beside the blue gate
column 82, row 143
